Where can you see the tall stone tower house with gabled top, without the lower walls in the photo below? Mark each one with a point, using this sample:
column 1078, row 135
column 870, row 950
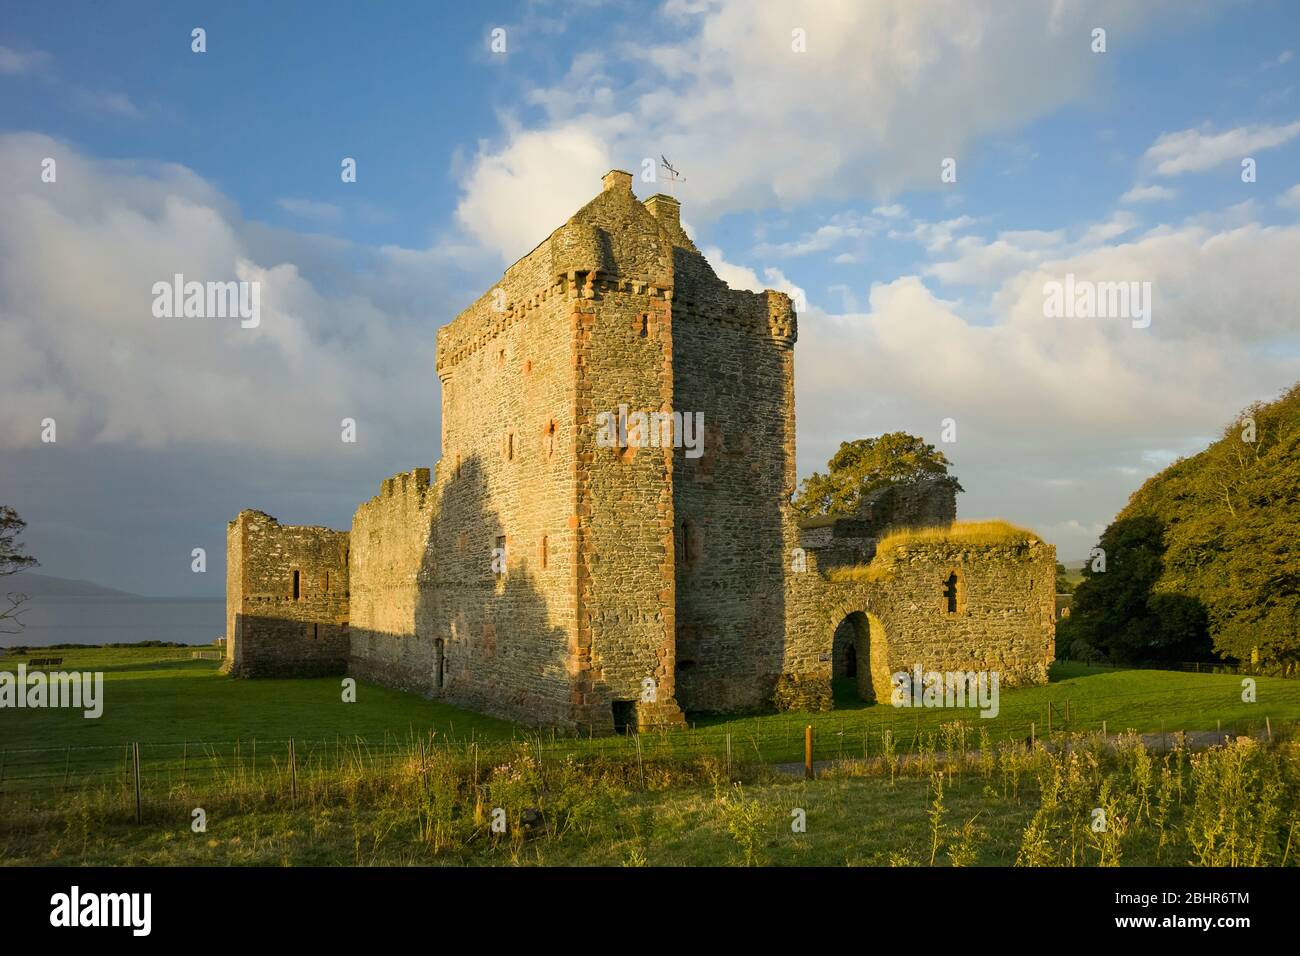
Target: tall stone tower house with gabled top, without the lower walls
column 635, row 576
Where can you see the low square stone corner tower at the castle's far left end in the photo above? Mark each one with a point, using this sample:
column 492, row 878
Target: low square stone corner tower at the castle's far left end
column 270, row 630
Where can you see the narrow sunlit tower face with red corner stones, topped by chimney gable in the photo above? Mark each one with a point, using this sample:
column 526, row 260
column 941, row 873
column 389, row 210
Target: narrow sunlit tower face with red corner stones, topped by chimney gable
column 625, row 366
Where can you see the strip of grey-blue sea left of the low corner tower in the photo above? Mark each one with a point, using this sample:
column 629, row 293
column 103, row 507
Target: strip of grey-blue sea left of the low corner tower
column 103, row 620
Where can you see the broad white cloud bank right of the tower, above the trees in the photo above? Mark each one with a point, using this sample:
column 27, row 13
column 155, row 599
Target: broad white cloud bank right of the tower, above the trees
column 1039, row 403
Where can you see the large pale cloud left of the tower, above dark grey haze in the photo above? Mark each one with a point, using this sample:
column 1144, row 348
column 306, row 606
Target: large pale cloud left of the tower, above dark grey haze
column 80, row 344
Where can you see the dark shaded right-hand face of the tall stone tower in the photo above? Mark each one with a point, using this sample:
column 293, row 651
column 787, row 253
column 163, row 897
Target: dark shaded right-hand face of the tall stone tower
column 734, row 362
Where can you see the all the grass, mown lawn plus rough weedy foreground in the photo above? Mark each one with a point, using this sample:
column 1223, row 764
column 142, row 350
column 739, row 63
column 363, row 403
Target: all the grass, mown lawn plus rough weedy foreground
column 398, row 780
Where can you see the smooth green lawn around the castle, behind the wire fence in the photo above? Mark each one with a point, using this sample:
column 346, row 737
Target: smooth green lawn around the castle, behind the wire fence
column 176, row 708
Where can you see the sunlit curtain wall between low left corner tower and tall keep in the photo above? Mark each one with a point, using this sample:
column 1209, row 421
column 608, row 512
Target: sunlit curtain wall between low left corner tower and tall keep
column 392, row 572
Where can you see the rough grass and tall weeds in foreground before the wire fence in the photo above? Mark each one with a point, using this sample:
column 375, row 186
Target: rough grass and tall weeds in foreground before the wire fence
column 1237, row 804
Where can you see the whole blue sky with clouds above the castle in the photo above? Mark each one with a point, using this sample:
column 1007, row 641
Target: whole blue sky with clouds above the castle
column 813, row 140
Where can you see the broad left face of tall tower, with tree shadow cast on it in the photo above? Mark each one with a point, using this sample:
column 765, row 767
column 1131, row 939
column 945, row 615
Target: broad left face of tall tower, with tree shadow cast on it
column 508, row 481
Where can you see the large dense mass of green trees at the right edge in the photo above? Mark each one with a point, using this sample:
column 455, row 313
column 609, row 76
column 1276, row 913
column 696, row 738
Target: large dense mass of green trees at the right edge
column 1206, row 559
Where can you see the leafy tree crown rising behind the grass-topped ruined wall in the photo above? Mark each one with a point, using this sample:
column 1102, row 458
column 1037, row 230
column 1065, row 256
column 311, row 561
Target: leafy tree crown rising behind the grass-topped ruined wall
column 863, row 466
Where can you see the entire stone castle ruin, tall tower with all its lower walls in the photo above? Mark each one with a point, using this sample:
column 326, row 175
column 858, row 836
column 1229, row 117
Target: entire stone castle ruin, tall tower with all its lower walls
column 547, row 576
